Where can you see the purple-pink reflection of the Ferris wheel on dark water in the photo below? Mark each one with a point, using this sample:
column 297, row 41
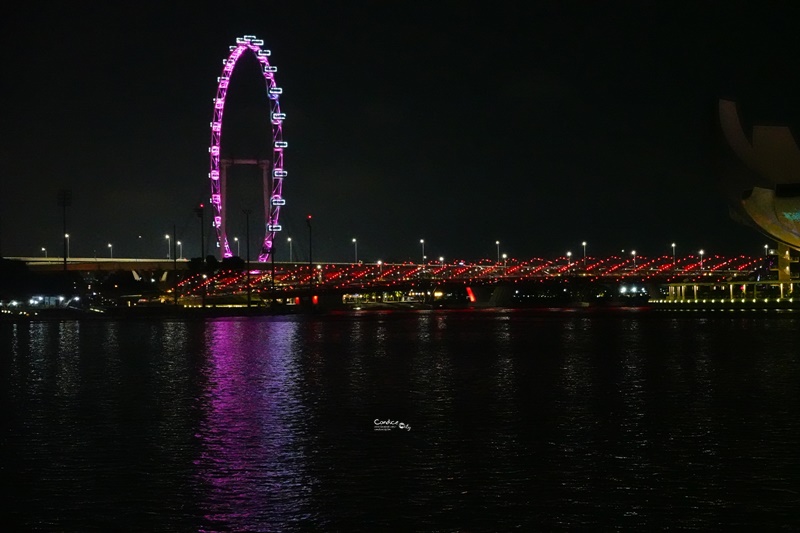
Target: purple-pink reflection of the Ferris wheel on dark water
column 251, row 465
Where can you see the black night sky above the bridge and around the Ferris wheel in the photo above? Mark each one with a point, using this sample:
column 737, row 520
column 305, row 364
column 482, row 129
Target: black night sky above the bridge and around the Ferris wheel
column 541, row 124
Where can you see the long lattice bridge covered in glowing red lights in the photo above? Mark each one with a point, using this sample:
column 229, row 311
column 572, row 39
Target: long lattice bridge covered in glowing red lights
column 287, row 278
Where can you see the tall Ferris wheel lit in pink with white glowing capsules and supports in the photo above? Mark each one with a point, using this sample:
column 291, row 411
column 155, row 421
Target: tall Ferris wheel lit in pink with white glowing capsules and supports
column 274, row 172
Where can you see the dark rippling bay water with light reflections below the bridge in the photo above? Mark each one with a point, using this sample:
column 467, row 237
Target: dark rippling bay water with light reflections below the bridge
column 525, row 421
